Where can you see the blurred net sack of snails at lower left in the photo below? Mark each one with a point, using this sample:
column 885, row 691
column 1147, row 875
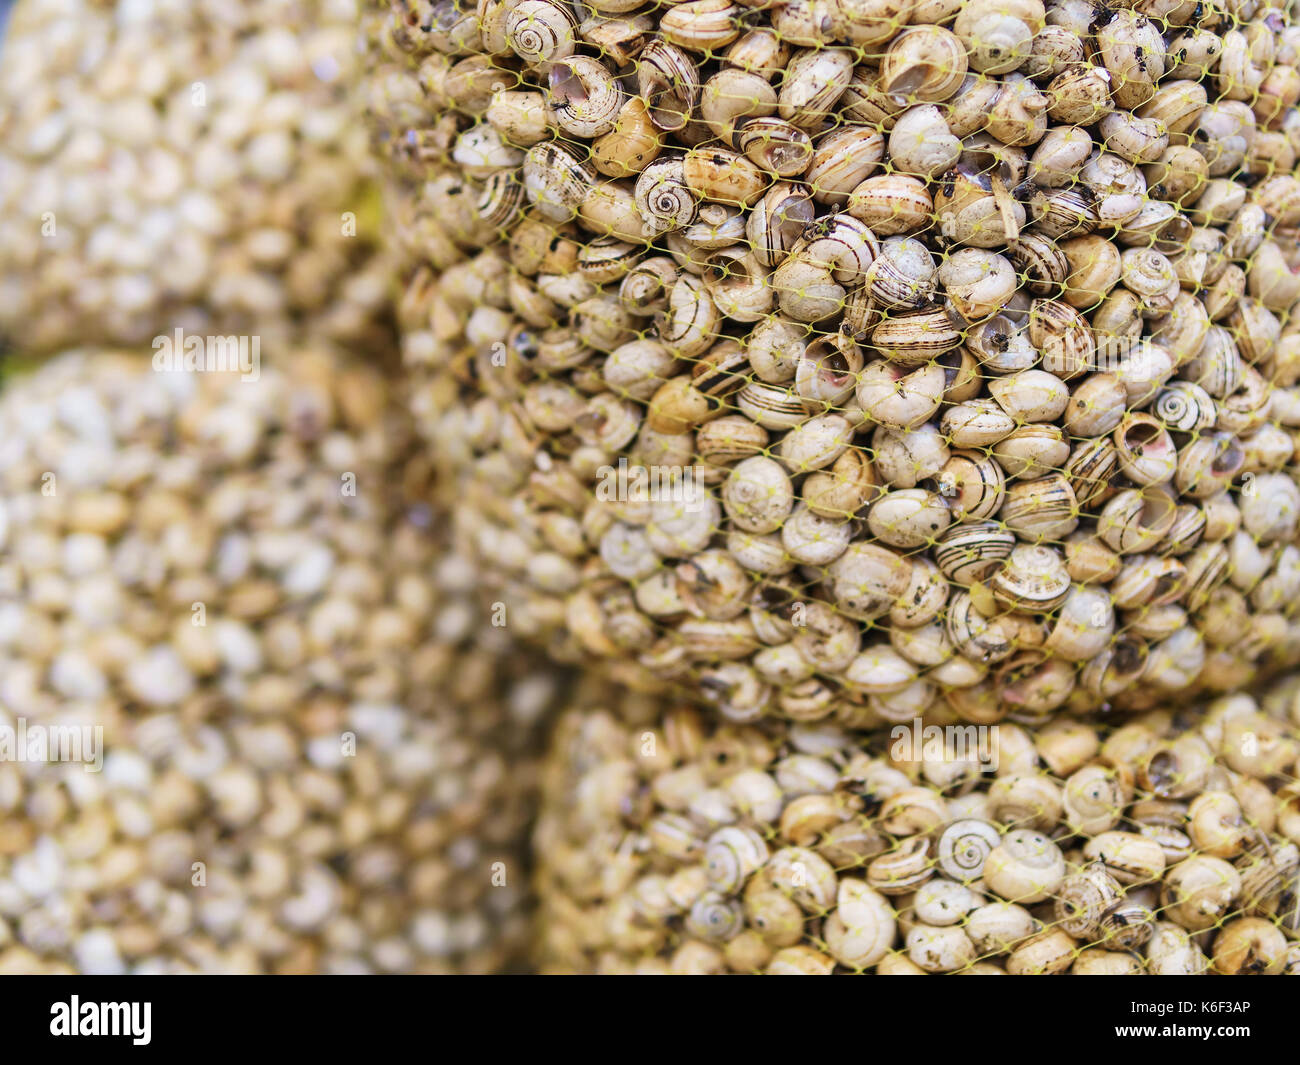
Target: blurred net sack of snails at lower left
column 319, row 756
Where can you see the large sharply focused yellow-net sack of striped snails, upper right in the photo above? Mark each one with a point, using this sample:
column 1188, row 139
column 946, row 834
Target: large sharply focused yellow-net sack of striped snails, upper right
column 976, row 326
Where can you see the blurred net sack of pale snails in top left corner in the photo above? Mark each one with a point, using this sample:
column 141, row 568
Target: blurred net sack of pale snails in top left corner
column 168, row 163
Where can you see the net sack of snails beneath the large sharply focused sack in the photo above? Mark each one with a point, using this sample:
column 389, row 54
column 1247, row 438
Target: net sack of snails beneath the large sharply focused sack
column 1167, row 846
